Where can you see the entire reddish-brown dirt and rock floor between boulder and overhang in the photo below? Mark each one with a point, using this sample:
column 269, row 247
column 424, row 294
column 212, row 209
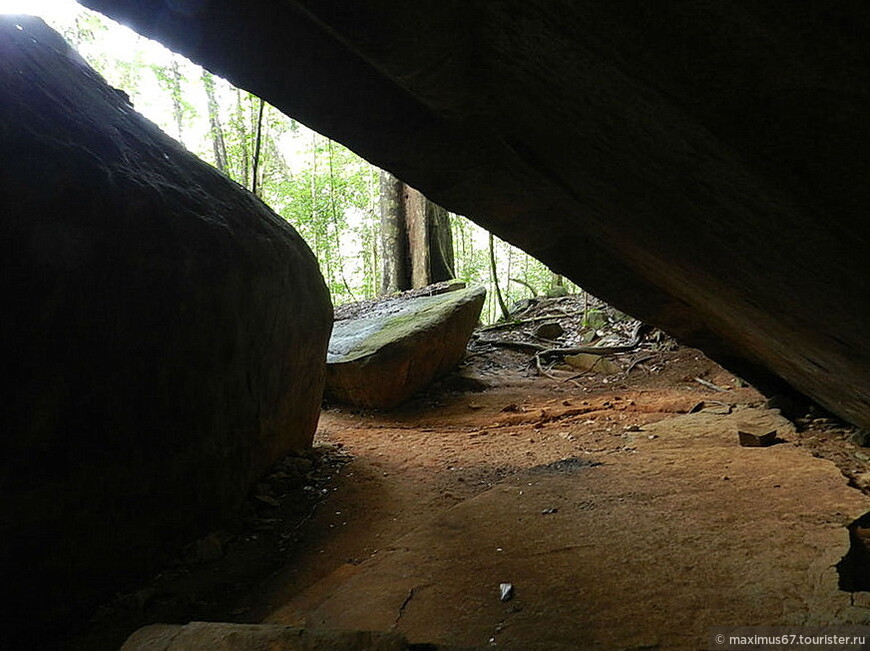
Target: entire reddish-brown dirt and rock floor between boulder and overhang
column 622, row 520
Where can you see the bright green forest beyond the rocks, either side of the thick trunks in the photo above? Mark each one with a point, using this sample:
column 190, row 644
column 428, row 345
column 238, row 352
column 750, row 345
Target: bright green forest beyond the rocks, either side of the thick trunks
column 331, row 196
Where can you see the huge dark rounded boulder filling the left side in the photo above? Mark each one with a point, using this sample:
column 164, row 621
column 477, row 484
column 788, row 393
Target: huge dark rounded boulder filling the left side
column 163, row 336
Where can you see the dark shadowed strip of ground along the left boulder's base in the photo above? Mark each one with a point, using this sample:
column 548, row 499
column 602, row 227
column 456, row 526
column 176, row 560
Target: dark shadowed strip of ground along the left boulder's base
column 211, row 578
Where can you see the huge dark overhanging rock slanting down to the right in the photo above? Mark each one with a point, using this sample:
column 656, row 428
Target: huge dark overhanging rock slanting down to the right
column 701, row 166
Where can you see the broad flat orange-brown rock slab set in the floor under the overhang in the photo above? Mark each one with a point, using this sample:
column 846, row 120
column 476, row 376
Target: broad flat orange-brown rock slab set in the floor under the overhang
column 648, row 549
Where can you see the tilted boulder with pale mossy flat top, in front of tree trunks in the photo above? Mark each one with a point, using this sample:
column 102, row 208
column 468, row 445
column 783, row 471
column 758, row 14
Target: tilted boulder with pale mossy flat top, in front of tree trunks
column 381, row 359
